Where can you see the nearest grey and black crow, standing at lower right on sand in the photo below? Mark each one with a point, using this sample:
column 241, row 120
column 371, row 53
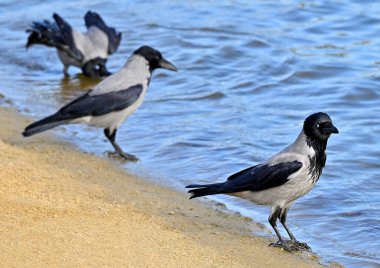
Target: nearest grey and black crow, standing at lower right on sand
column 283, row 178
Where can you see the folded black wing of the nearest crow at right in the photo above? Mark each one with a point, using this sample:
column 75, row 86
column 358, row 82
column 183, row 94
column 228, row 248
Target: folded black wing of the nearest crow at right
column 261, row 177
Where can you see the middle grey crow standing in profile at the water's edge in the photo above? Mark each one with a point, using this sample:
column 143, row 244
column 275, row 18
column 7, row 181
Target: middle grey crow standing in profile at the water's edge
column 112, row 100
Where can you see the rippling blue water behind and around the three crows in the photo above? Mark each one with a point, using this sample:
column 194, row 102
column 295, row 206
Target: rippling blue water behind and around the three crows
column 250, row 72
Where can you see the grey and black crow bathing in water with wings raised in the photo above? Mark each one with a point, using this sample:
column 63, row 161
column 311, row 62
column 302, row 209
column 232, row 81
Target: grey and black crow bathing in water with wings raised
column 88, row 51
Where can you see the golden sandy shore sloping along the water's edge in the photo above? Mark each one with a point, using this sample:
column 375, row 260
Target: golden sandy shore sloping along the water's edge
column 63, row 208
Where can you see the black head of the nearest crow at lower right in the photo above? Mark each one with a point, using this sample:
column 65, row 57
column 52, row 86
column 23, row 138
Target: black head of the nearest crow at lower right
column 319, row 126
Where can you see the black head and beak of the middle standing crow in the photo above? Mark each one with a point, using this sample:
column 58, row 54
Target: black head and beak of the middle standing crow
column 155, row 59
